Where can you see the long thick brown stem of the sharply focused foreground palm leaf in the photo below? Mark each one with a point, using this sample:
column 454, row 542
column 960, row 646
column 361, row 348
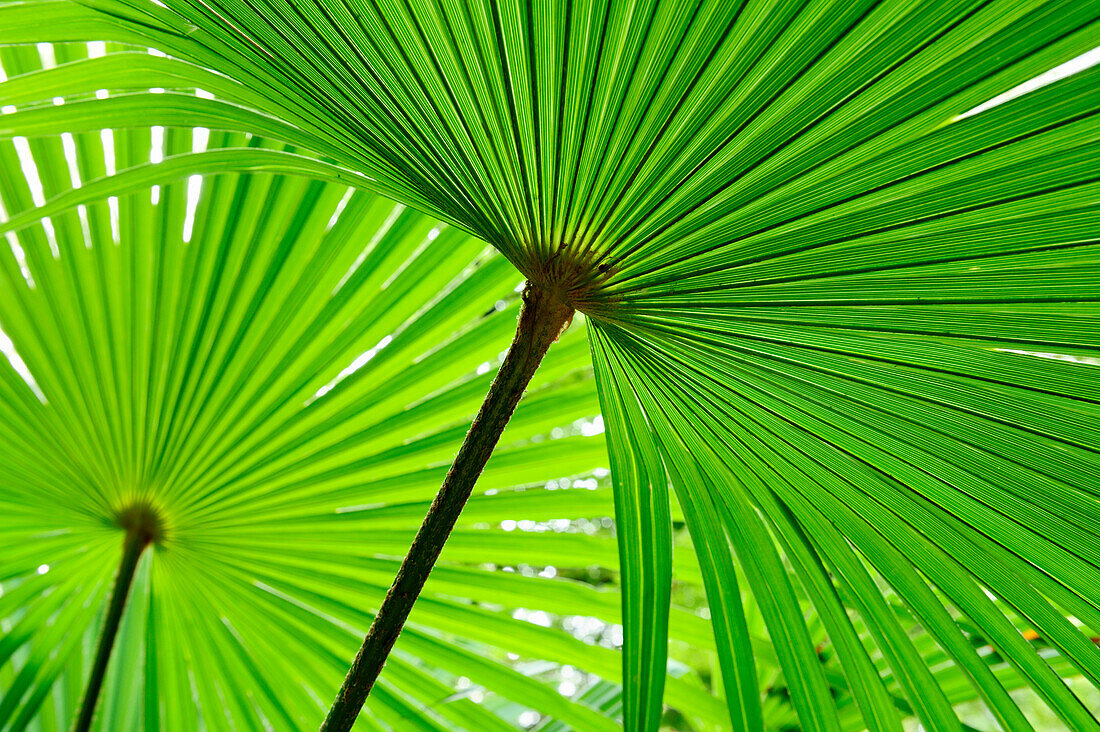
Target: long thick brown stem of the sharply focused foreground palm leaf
column 544, row 316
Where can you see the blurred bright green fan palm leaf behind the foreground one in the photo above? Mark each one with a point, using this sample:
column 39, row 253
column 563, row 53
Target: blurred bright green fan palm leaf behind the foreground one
column 283, row 369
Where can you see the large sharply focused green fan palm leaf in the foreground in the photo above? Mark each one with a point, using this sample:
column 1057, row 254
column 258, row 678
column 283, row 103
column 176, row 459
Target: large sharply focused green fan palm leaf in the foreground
column 843, row 307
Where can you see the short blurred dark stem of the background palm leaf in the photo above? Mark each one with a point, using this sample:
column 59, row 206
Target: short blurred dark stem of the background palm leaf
column 142, row 529
